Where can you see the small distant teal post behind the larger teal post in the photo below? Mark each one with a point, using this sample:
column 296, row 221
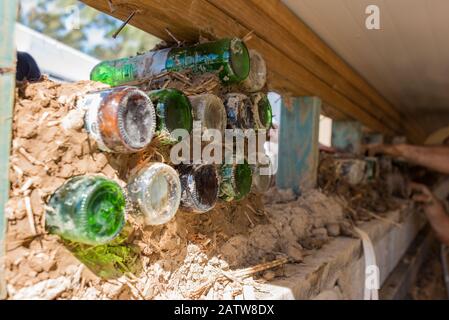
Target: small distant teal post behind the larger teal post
column 347, row 136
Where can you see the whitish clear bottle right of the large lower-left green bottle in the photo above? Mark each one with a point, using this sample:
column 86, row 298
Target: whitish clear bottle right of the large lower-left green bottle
column 155, row 191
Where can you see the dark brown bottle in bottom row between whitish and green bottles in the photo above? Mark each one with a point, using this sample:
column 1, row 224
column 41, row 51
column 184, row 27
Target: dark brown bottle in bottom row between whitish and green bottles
column 200, row 187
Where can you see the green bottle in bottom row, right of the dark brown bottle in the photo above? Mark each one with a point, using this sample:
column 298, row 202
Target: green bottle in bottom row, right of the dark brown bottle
column 236, row 181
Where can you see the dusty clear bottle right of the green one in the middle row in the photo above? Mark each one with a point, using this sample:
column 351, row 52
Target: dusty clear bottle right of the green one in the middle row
column 209, row 109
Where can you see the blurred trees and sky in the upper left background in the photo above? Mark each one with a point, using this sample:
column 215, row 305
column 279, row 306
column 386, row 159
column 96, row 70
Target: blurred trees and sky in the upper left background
column 84, row 28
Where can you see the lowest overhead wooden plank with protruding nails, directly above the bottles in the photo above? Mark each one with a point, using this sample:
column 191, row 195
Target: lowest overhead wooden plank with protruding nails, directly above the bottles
column 191, row 18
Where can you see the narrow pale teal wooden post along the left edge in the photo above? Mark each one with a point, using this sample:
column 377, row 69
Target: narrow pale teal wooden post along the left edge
column 8, row 12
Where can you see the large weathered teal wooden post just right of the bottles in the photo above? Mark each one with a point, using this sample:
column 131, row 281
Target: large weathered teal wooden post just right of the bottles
column 298, row 144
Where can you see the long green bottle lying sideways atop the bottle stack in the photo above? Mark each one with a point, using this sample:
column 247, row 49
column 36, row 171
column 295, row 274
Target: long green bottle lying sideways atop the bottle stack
column 227, row 57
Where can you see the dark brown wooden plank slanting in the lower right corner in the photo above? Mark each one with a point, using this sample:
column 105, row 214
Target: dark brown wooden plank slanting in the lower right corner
column 399, row 282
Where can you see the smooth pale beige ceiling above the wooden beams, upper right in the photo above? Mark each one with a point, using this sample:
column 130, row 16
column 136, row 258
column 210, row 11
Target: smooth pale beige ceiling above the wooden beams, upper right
column 407, row 60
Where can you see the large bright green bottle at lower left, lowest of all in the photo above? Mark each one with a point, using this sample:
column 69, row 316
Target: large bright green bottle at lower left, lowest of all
column 87, row 209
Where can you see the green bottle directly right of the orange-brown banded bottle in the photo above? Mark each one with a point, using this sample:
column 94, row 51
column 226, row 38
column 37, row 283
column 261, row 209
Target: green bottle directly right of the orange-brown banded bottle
column 173, row 111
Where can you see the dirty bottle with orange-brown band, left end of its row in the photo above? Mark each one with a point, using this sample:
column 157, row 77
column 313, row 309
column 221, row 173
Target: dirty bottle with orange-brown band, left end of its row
column 120, row 120
